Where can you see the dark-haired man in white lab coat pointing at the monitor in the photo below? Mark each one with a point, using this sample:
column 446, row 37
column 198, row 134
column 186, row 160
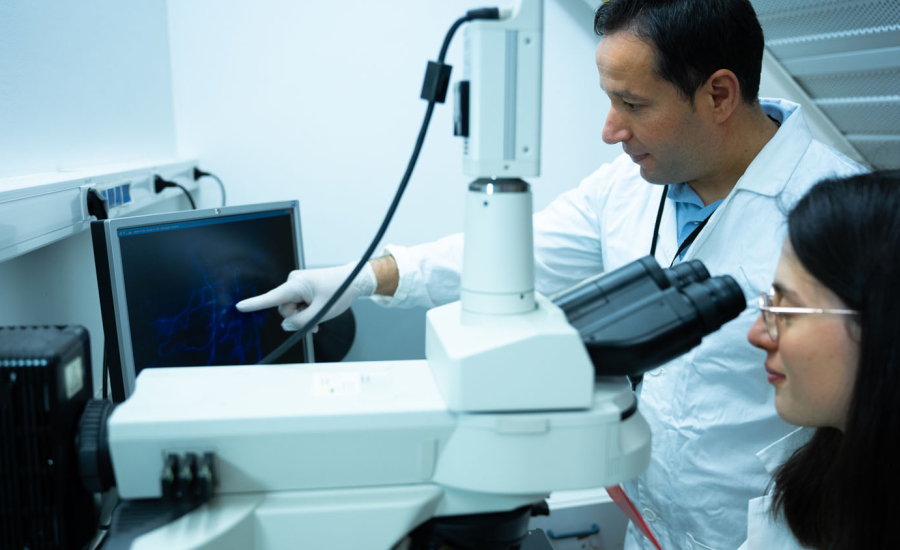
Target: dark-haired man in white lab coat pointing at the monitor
column 713, row 168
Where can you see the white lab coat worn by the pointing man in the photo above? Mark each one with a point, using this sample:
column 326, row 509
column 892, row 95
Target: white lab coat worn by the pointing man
column 711, row 409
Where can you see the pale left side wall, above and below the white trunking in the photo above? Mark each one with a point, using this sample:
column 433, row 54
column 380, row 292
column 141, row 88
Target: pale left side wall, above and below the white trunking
column 81, row 84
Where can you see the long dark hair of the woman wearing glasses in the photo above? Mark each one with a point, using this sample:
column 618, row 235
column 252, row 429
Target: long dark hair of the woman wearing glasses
column 842, row 490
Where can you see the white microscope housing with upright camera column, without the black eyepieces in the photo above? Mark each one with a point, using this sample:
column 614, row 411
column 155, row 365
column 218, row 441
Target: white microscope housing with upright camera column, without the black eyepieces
column 504, row 410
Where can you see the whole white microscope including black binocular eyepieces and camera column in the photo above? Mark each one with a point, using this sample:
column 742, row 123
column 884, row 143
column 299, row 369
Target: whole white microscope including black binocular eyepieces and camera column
column 519, row 394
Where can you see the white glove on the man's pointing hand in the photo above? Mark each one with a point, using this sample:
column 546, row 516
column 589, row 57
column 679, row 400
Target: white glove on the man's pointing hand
column 307, row 290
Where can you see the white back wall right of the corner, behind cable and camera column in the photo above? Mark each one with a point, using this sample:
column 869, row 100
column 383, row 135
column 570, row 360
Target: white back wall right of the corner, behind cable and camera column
column 319, row 101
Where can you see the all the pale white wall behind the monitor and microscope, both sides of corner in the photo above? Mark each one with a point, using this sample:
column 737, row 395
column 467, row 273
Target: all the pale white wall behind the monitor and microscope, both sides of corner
column 282, row 99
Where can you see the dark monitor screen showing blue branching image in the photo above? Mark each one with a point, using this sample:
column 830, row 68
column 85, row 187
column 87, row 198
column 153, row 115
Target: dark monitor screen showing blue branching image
column 183, row 279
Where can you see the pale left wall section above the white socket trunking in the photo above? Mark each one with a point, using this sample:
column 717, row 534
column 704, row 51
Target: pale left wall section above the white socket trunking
column 83, row 84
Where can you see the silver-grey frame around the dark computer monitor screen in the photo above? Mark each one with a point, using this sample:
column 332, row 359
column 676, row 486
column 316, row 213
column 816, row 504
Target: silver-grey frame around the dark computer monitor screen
column 119, row 302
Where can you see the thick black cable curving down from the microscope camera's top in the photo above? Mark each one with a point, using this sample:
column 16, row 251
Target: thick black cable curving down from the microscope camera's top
column 486, row 13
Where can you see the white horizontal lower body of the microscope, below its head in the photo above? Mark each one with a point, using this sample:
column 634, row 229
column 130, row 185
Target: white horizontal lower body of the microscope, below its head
column 355, row 455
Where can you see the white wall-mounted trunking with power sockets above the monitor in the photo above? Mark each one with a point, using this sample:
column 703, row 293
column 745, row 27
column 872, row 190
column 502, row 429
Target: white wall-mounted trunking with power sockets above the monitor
column 39, row 209
